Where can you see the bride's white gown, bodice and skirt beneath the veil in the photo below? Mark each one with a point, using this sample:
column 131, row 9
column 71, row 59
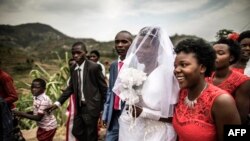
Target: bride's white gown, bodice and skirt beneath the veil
column 144, row 129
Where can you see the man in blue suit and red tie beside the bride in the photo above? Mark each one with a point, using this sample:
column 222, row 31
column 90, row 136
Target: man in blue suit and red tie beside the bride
column 113, row 105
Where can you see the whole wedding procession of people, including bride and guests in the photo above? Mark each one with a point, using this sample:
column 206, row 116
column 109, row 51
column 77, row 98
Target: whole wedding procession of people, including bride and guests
column 191, row 90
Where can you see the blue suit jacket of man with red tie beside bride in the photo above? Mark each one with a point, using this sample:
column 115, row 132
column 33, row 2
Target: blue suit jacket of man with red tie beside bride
column 109, row 104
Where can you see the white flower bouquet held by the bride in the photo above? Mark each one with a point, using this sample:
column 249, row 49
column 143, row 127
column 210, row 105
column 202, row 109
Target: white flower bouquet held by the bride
column 131, row 81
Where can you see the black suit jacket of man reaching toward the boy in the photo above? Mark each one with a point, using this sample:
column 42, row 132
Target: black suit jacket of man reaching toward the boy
column 94, row 88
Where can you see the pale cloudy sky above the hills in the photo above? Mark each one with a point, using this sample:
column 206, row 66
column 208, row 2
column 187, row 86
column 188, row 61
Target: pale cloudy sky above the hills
column 102, row 19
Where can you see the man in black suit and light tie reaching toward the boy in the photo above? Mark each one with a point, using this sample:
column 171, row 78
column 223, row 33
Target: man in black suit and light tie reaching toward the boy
column 88, row 84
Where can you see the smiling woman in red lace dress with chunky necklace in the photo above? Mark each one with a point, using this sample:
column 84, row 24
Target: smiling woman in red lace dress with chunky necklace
column 203, row 109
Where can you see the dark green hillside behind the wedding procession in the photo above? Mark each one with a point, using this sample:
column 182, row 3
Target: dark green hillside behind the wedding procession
column 24, row 44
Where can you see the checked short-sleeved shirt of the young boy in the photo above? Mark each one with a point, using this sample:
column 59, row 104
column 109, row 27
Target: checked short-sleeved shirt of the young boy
column 40, row 103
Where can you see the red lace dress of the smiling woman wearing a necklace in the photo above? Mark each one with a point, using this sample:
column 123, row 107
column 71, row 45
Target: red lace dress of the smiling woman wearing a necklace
column 196, row 124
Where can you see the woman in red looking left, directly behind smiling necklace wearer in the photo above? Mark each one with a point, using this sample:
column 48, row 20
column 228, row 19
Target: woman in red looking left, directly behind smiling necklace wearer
column 235, row 83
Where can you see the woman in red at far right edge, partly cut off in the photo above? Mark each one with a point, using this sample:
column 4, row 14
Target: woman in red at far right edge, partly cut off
column 244, row 41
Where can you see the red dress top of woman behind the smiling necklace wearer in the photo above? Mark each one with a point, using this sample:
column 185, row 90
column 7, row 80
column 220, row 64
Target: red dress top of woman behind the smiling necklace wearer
column 233, row 81
